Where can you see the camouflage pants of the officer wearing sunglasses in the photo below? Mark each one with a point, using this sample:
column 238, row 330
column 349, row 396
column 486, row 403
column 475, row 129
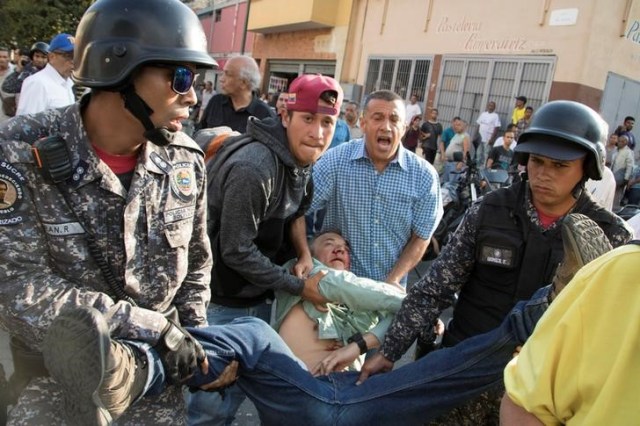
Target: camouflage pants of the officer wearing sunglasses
column 41, row 404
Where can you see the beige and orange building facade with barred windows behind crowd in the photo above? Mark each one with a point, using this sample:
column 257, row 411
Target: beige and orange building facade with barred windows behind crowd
column 457, row 55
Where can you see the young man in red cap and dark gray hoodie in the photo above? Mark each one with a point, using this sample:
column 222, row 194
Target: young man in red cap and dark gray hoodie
column 259, row 188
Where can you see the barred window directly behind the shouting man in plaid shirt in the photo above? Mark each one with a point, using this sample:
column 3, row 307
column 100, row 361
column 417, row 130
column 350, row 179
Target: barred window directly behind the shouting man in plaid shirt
column 405, row 76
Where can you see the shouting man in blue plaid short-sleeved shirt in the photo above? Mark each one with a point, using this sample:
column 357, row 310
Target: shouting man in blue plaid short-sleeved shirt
column 385, row 199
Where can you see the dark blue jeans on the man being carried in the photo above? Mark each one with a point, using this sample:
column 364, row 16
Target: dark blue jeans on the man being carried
column 284, row 392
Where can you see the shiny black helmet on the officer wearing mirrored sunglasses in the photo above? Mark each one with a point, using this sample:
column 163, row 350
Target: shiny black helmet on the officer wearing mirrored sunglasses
column 114, row 37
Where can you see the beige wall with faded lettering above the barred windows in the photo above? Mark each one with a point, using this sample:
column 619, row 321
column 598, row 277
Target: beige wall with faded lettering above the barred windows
column 585, row 51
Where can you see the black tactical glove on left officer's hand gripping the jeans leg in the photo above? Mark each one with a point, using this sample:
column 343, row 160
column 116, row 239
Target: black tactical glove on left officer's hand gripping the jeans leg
column 180, row 353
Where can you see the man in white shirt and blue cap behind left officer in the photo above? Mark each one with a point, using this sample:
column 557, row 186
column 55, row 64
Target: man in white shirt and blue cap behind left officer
column 51, row 87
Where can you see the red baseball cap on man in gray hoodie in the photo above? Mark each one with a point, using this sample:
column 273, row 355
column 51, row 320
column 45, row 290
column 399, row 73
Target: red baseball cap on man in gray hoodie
column 304, row 93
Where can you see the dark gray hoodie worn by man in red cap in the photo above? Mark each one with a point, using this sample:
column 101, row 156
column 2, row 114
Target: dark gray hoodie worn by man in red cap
column 255, row 190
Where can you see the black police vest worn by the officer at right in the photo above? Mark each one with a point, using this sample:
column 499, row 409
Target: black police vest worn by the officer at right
column 513, row 259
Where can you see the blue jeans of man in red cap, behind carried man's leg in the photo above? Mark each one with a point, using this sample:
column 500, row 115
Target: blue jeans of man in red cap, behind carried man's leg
column 211, row 408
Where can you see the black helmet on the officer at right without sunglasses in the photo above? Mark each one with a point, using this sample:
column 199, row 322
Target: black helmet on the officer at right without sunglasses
column 565, row 130
